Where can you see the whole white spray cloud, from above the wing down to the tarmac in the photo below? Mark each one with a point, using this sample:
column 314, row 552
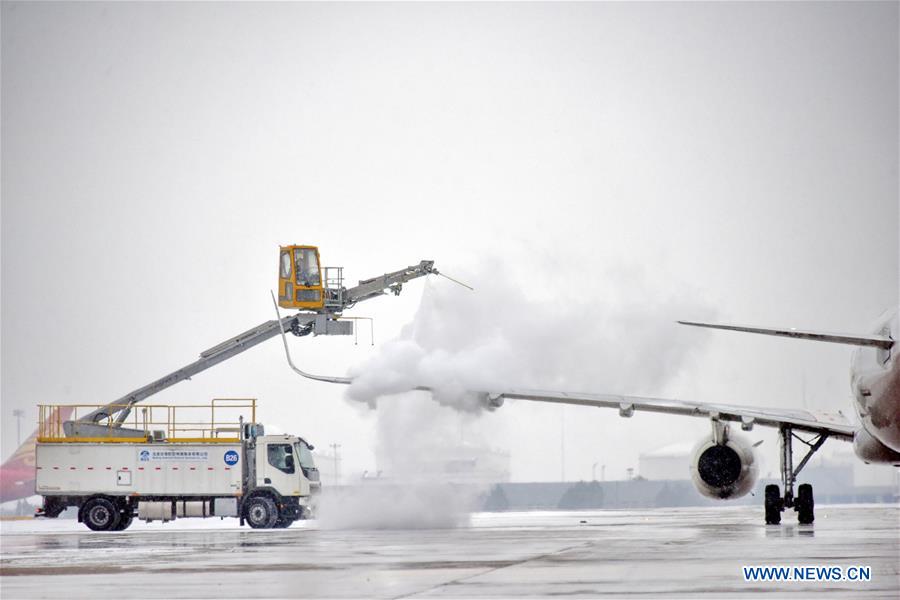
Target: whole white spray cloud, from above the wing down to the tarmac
column 510, row 332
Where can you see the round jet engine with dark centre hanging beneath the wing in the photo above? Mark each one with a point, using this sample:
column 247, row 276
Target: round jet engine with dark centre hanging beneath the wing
column 724, row 468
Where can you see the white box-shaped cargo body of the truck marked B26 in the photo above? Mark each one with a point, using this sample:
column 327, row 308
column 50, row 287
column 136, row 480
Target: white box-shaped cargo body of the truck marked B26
column 140, row 469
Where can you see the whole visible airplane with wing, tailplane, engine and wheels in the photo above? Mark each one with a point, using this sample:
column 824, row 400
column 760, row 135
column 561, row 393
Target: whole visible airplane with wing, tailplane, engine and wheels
column 723, row 465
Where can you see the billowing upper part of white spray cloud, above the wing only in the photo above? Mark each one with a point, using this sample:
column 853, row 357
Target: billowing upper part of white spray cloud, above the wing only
column 622, row 339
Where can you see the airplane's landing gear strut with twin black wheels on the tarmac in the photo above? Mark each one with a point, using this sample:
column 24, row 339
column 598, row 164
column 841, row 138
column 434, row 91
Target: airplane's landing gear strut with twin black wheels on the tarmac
column 803, row 504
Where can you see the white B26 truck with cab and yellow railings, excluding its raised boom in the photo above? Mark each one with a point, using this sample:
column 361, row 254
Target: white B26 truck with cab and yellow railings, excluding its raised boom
column 265, row 480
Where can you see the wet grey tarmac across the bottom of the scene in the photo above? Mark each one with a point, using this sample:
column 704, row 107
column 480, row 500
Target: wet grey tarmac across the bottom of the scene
column 688, row 553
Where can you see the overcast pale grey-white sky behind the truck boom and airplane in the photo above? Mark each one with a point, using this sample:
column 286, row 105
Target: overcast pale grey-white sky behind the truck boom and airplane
column 154, row 156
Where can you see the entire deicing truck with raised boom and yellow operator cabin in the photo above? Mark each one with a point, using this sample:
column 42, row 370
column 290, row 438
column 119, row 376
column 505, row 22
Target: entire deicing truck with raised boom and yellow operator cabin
column 116, row 462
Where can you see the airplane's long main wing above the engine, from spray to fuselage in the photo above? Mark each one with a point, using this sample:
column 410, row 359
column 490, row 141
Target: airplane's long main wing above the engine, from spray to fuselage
column 835, row 425
